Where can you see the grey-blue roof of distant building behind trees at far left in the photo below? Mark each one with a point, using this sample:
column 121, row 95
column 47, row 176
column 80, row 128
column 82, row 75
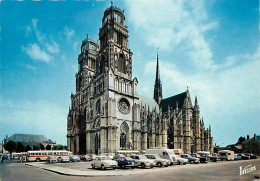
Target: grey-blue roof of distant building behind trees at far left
column 28, row 138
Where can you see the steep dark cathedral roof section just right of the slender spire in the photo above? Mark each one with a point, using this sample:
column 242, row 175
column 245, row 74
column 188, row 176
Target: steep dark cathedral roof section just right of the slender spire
column 171, row 101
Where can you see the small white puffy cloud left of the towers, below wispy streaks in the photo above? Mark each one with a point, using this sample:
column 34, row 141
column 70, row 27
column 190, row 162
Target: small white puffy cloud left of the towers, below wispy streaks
column 36, row 53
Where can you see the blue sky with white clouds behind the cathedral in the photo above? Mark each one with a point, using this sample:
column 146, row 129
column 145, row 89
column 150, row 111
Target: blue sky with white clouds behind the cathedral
column 210, row 46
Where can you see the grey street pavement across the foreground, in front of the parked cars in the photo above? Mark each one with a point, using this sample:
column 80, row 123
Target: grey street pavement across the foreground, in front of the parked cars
column 211, row 171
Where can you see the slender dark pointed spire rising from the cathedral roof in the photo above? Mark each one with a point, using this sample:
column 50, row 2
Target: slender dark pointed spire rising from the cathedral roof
column 157, row 86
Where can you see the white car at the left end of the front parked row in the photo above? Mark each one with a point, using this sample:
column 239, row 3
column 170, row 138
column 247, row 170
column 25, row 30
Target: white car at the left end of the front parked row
column 104, row 162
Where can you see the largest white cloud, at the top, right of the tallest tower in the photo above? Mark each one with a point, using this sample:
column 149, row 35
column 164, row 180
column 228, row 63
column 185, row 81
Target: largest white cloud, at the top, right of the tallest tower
column 170, row 25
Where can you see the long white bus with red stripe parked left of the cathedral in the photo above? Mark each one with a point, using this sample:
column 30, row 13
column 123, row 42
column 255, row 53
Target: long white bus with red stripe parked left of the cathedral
column 42, row 155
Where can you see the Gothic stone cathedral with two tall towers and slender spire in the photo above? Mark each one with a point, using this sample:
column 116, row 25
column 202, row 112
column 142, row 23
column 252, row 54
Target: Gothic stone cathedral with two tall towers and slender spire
column 107, row 114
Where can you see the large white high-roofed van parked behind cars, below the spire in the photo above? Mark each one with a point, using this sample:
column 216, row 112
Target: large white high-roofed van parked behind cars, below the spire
column 163, row 153
